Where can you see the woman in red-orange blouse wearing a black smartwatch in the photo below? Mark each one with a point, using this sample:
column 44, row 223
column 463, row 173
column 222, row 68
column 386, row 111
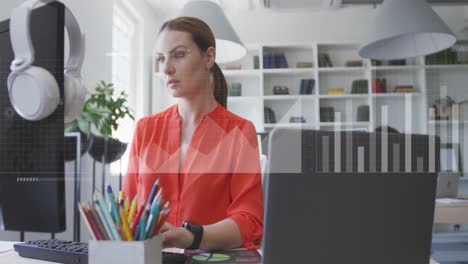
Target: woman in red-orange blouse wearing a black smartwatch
column 206, row 157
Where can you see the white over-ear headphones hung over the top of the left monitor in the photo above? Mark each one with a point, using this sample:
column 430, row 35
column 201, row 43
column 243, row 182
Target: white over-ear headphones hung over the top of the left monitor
column 33, row 91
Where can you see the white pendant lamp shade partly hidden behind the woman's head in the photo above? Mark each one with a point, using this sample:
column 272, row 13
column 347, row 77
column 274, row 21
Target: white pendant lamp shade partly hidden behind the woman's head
column 229, row 47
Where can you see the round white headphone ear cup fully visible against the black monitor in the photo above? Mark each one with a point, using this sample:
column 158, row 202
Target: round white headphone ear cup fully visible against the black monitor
column 33, row 92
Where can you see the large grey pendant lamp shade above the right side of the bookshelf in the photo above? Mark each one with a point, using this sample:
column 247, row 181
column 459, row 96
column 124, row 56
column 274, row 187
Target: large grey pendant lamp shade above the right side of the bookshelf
column 404, row 29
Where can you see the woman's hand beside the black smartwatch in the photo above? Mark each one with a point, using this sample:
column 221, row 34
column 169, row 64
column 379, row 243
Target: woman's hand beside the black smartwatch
column 176, row 236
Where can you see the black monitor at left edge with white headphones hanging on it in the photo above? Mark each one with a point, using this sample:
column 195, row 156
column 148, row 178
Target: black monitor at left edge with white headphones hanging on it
column 32, row 187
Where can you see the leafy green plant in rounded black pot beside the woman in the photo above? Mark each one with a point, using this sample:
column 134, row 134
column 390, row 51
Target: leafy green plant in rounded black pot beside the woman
column 111, row 108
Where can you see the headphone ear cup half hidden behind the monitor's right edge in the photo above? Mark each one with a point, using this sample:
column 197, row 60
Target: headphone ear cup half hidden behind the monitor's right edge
column 75, row 97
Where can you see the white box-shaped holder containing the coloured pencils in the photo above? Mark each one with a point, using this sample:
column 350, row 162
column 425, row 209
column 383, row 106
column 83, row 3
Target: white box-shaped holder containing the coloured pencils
column 124, row 252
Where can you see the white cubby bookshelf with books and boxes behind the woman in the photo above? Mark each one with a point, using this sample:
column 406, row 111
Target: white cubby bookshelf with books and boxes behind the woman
column 258, row 82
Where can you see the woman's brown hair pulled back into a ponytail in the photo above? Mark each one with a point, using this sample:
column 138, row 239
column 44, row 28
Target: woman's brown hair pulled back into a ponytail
column 203, row 38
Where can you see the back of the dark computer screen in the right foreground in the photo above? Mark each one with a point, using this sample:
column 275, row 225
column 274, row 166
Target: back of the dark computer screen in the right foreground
column 349, row 197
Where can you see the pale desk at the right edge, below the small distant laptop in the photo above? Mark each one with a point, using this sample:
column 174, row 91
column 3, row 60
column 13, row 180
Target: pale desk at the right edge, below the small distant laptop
column 451, row 212
